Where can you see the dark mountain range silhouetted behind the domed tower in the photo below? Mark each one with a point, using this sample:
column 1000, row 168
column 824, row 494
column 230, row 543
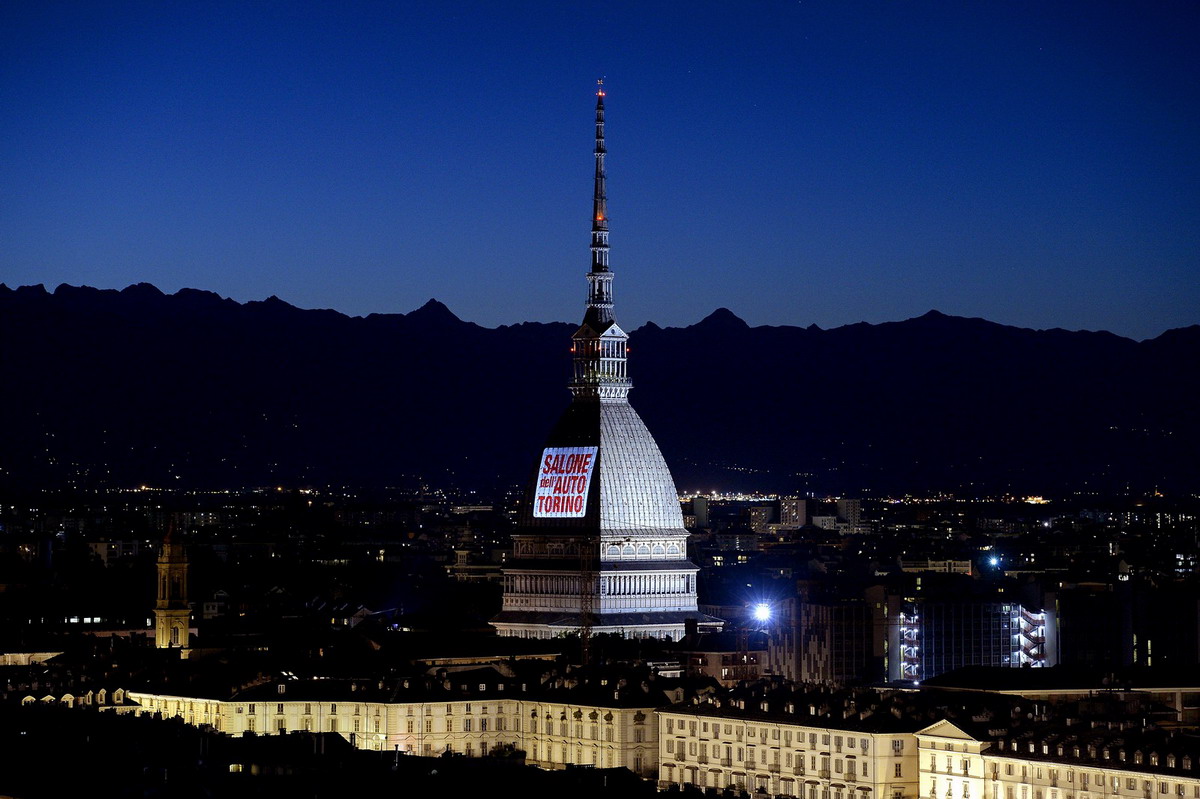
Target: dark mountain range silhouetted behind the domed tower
column 119, row 388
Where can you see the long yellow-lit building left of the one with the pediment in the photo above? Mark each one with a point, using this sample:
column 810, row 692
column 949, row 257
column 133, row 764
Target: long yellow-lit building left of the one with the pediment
column 611, row 729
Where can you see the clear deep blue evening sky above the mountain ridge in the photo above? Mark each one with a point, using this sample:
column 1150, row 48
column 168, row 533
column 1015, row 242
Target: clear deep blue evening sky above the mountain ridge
column 1035, row 164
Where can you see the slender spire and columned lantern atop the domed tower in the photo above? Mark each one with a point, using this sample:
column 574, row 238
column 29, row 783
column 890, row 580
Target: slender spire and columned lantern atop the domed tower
column 599, row 345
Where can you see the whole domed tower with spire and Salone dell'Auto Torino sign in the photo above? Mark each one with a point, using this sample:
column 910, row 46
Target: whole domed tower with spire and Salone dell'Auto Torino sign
column 602, row 533
